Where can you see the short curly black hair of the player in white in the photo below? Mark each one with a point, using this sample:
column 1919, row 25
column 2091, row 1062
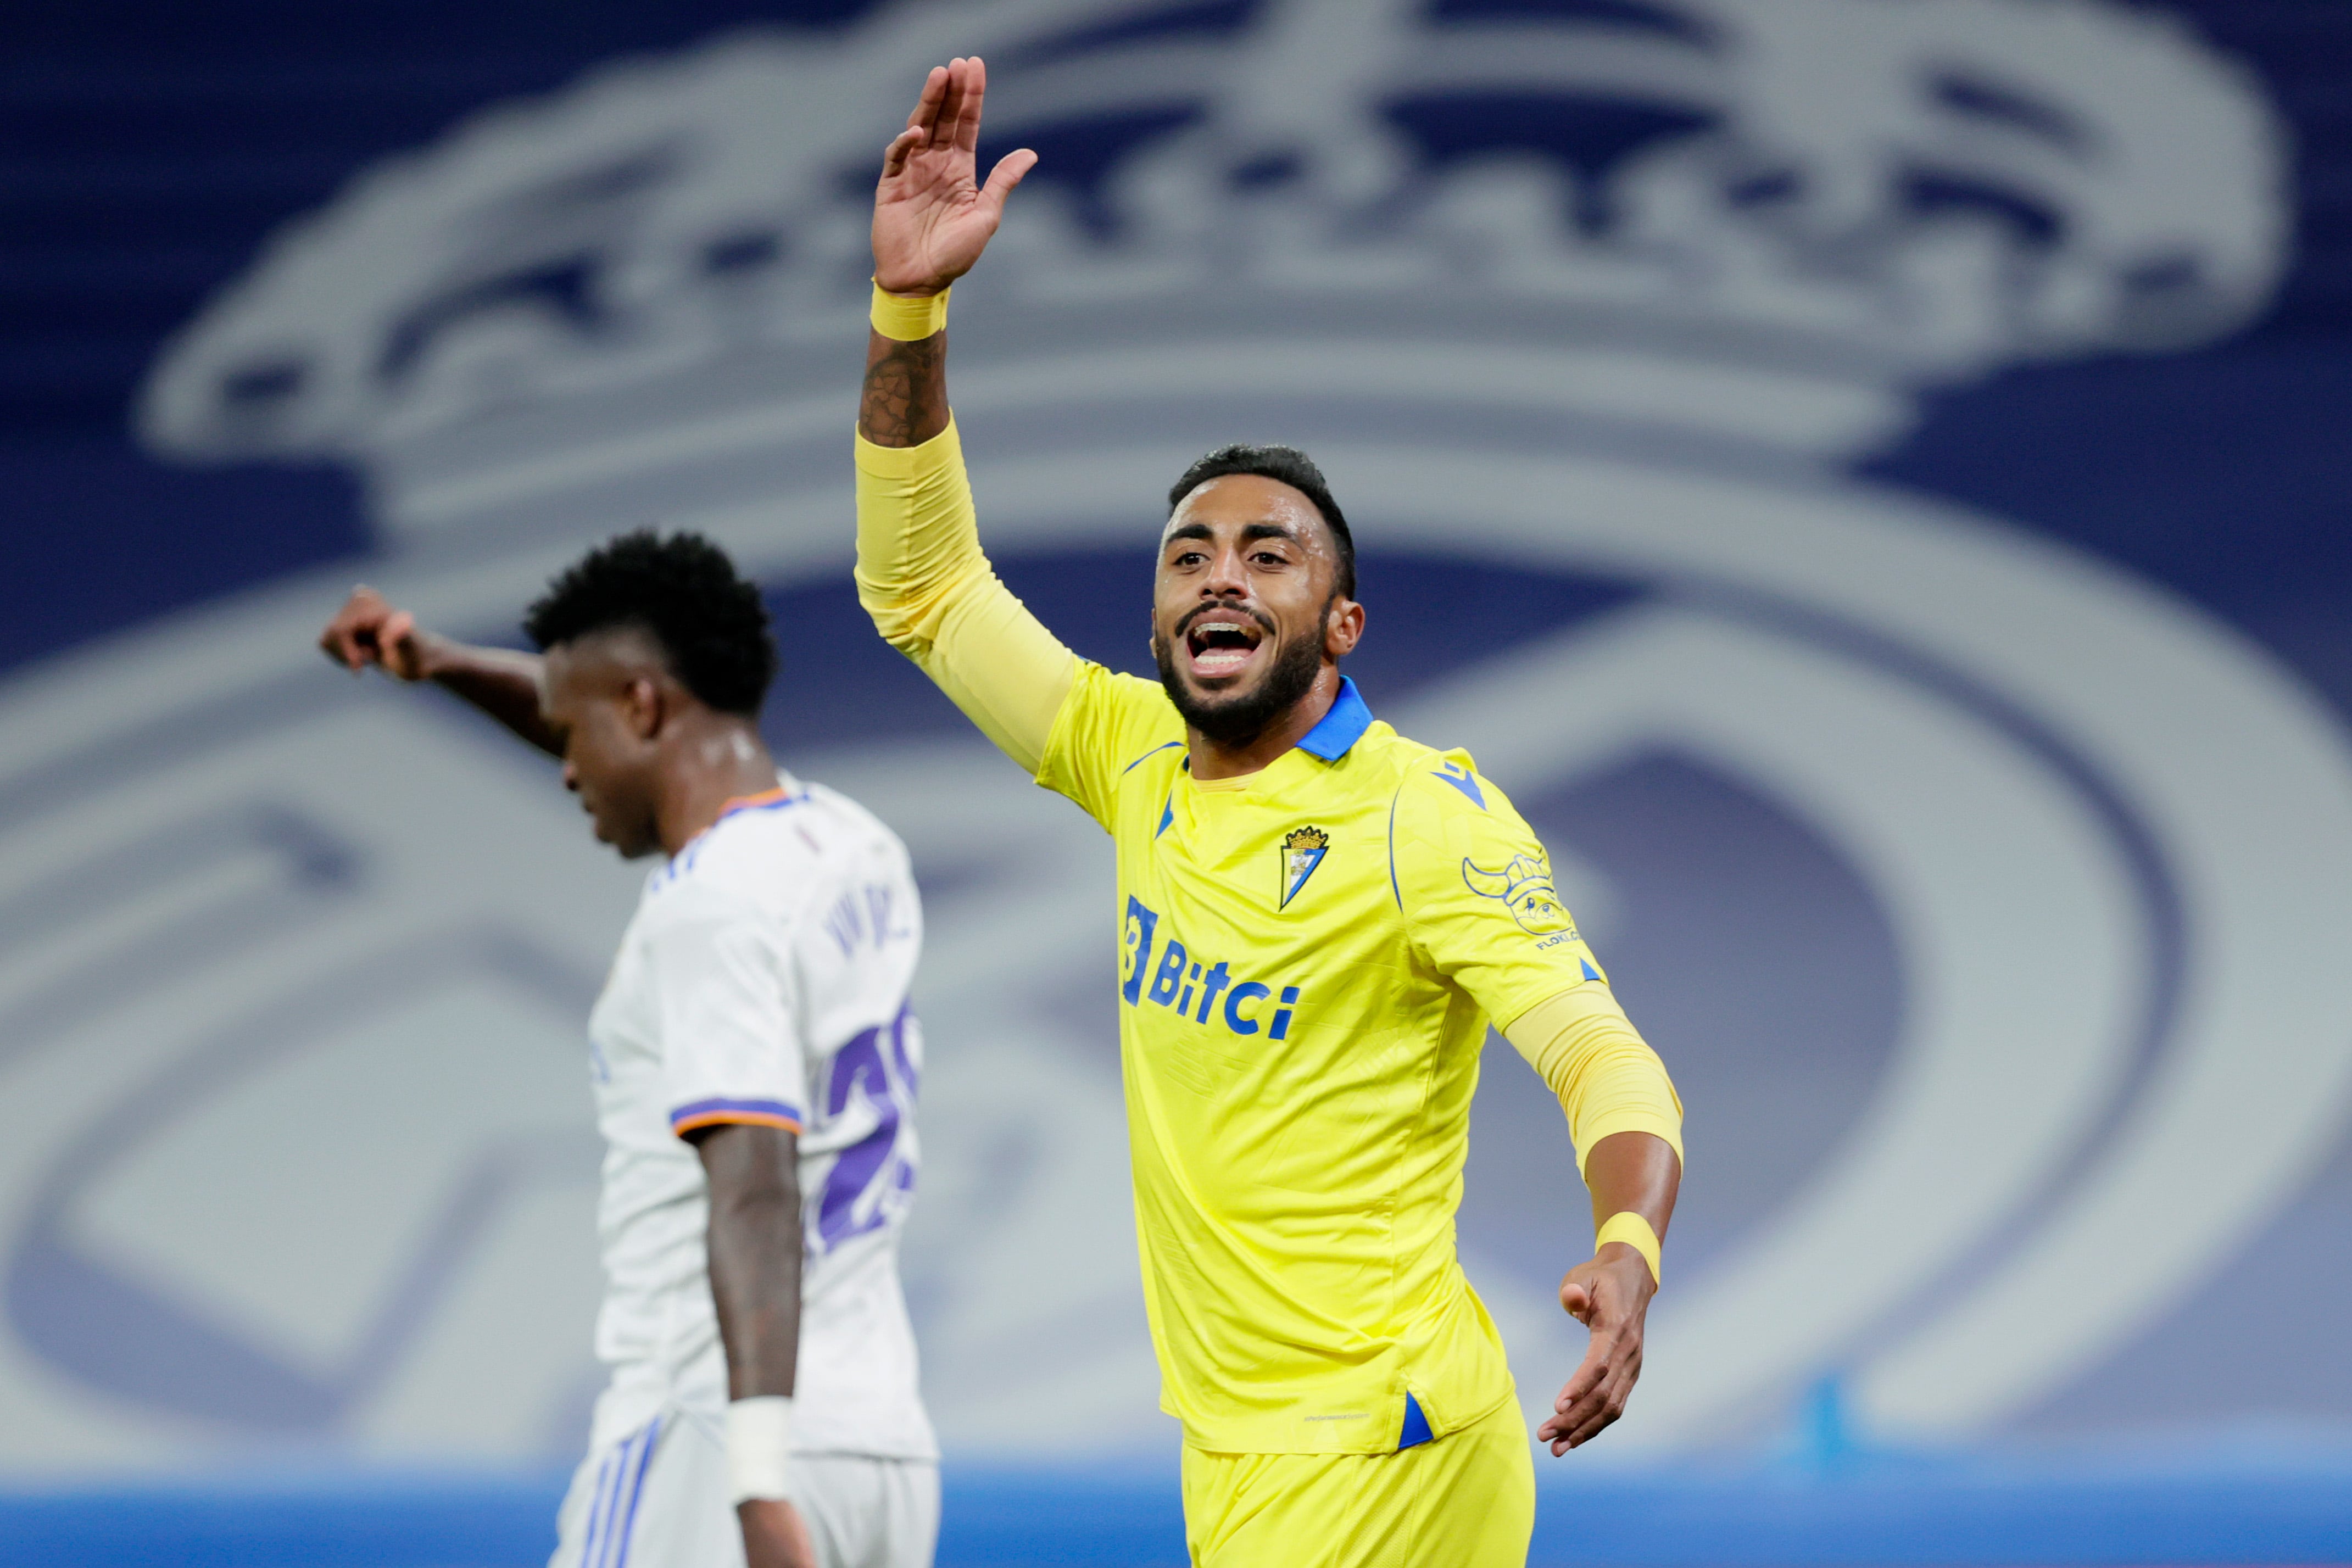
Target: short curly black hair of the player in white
column 688, row 596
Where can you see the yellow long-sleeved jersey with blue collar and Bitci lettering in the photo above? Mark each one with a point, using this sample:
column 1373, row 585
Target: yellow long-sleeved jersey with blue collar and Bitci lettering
column 1309, row 963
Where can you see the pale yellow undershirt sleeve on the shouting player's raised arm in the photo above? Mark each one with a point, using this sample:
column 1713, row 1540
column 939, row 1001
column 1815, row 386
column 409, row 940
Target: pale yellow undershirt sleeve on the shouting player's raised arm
column 933, row 596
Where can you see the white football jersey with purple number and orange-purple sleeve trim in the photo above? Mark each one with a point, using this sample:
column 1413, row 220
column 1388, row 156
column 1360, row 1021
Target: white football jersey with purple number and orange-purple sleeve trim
column 766, row 979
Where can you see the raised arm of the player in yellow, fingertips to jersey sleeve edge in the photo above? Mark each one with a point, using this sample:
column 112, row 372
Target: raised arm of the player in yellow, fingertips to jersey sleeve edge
column 921, row 570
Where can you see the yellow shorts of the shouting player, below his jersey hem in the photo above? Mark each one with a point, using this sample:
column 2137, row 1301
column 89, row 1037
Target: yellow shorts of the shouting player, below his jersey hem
column 1466, row 1501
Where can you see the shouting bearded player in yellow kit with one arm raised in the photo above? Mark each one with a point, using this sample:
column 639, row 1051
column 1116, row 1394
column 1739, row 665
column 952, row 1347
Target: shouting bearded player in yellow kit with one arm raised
column 1318, row 920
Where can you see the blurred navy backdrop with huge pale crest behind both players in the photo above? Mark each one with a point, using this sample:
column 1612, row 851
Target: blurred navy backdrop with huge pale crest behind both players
column 1864, row 474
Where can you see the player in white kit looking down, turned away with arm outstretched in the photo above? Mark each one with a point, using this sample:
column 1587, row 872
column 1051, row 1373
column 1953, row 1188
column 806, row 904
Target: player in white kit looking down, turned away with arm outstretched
column 754, row 1064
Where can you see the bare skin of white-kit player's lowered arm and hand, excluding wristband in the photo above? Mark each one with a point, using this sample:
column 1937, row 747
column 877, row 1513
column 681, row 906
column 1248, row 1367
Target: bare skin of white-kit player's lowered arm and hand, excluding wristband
column 754, row 1177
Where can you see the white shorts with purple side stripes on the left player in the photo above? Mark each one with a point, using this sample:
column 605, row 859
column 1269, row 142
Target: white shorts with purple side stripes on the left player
column 660, row 1499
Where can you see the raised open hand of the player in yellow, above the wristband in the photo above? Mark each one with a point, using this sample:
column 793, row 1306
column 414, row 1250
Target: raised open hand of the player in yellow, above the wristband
column 933, row 220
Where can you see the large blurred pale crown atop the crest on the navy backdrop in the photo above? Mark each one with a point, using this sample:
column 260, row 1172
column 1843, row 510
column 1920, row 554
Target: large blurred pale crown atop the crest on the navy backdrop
column 1911, row 192
